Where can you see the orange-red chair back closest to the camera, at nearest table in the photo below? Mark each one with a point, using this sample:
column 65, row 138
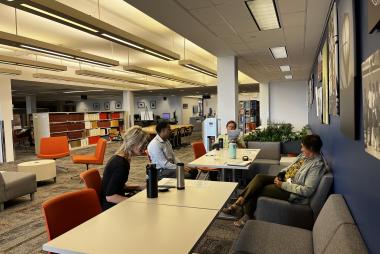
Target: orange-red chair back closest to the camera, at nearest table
column 69, row 210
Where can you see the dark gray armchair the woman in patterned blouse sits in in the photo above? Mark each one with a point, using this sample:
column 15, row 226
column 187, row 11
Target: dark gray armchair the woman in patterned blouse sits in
column 286, row 213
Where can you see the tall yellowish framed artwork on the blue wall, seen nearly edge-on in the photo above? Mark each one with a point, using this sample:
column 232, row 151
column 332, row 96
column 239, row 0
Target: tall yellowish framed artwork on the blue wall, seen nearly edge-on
column 325, row 84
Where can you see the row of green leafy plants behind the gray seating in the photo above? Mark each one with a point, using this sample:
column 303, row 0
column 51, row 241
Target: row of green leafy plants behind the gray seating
column 276, row 132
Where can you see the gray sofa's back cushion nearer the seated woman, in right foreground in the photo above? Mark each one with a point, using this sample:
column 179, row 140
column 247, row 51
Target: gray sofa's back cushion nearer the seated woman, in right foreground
column 333, row 214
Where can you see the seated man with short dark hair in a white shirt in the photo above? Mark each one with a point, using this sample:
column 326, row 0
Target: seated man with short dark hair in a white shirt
column 161, row 153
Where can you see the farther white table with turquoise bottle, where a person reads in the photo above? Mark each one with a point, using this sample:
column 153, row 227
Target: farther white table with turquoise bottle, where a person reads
column 221, row 159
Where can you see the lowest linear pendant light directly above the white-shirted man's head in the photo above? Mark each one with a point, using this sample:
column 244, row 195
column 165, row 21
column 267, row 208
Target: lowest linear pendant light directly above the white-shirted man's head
column 96, row 74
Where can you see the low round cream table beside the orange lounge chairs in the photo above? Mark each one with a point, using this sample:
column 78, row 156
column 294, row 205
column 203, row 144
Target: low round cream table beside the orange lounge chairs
column 44, row 169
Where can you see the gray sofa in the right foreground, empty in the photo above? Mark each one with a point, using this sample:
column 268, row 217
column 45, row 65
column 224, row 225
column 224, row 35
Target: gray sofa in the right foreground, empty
column 334, row 232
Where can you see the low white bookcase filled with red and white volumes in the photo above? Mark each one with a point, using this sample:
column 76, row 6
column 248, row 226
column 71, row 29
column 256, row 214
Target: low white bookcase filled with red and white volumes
column 81, row 128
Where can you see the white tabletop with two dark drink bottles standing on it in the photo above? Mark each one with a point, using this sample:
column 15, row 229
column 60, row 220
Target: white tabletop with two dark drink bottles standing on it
column 197, row 194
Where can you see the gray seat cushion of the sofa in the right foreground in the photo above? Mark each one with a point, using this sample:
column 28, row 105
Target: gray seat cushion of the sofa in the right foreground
column 265, row 237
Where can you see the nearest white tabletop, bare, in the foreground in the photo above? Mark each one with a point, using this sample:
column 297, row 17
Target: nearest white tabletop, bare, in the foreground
column 133, row 227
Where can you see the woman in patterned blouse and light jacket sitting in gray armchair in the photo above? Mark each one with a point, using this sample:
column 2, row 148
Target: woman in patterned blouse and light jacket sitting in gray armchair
column 296, row 183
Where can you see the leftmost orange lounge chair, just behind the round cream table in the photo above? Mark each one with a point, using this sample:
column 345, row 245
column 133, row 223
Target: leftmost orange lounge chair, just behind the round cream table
column 54, row 148
